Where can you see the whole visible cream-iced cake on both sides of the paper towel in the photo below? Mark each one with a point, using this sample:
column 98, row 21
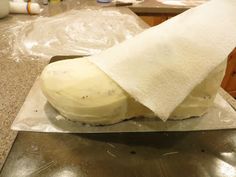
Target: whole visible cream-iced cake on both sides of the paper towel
column 80, row 91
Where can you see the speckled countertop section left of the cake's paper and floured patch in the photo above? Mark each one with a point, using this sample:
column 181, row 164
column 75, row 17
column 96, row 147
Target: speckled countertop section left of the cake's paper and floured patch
column 16, row 79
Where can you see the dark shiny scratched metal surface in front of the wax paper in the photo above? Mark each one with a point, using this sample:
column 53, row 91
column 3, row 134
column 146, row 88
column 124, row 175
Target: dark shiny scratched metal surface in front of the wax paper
column 193, row 154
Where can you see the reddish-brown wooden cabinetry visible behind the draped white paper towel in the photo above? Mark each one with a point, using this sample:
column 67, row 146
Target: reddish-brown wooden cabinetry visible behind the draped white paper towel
column 229, row 81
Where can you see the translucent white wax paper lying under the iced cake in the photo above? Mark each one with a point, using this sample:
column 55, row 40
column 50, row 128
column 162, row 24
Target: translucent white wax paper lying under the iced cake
column 38, row 115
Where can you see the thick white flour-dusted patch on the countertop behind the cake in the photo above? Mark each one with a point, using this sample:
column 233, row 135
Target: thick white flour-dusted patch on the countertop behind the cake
column 76, row 32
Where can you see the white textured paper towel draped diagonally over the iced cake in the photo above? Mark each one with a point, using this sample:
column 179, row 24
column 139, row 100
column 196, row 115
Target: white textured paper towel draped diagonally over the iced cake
column 162, row 65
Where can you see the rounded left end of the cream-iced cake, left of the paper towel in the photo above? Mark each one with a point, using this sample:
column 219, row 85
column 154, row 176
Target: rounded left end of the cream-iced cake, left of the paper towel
column 80, row 91
